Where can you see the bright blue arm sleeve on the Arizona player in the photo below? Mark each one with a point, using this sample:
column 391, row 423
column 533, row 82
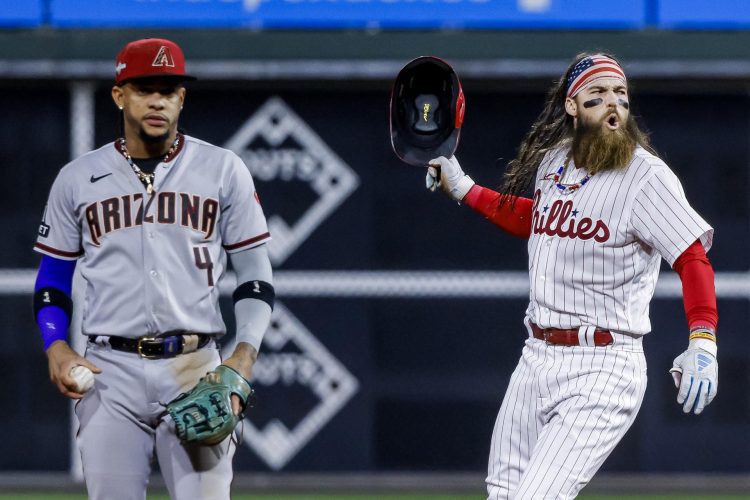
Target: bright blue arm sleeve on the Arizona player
column 53, row 321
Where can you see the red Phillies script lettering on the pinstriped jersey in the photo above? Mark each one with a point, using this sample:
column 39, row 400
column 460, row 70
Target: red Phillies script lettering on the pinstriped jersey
column 558, row 222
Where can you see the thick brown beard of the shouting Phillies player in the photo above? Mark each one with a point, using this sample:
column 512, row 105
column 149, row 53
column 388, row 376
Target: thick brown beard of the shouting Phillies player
column 598, row 150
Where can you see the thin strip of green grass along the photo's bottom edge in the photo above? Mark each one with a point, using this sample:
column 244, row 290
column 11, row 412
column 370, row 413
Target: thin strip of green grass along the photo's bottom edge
column 384, row 496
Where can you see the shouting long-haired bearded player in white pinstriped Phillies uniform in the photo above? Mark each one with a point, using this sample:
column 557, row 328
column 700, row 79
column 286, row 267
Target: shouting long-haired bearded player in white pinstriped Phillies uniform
column 605, row 210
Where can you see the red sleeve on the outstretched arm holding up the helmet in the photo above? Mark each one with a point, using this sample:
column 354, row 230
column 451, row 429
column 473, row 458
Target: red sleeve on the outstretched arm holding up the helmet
column 515, row 221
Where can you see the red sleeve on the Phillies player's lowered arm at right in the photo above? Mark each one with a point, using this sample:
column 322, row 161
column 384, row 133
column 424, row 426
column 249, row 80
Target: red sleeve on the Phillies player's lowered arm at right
column 698, row 292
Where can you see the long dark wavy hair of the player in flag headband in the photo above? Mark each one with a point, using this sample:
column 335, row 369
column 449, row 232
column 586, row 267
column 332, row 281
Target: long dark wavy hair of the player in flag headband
column 553, row 126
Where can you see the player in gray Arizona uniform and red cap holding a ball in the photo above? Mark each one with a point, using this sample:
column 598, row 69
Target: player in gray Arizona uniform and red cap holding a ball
column 150, row 219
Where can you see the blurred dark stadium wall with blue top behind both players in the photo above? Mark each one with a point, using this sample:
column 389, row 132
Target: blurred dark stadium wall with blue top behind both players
column 399, row 316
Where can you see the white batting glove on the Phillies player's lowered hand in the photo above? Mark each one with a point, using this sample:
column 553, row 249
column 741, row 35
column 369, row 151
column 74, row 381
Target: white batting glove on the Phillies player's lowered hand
column 696, row 375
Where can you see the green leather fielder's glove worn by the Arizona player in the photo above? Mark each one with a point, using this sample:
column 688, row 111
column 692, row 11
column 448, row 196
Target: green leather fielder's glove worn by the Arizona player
column 204, row 414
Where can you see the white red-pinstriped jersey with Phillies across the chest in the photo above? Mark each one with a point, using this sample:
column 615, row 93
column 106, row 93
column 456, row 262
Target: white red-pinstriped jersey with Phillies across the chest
column 594, row 253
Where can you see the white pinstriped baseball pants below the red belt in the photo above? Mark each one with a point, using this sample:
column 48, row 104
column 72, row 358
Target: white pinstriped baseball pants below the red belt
column 564, row 411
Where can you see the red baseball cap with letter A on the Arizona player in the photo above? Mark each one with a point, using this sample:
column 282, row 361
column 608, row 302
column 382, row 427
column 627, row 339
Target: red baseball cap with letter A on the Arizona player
column 150, row 57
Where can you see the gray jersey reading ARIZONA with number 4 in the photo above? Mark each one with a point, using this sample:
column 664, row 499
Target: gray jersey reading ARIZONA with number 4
column 151, row 263
